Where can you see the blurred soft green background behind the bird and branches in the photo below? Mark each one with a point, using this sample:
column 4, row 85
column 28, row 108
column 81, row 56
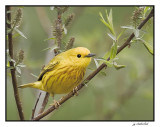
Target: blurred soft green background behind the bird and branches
column 126, row 94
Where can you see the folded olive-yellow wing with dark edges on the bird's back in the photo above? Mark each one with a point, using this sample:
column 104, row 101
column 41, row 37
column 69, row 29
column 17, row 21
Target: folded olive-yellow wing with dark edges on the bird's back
column 48, row 68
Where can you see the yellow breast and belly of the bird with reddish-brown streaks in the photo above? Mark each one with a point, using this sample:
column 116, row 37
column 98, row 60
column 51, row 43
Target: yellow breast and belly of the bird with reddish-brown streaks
column 63, row 79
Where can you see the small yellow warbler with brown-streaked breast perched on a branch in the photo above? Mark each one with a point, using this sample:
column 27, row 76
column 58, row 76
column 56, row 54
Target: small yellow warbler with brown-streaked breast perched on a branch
column 64, row 72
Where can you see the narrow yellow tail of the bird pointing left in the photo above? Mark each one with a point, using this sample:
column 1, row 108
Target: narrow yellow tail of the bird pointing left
column 32, row 85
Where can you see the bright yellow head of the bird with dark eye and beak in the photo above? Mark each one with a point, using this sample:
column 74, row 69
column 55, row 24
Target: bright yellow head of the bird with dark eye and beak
column 79, row 56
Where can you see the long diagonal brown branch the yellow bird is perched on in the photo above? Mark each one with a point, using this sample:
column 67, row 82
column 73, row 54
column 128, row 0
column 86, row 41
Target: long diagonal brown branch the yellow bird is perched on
column 72, row 93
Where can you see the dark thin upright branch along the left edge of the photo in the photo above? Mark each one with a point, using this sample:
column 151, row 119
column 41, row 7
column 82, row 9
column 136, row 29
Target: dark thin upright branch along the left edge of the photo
column 13, row 74
